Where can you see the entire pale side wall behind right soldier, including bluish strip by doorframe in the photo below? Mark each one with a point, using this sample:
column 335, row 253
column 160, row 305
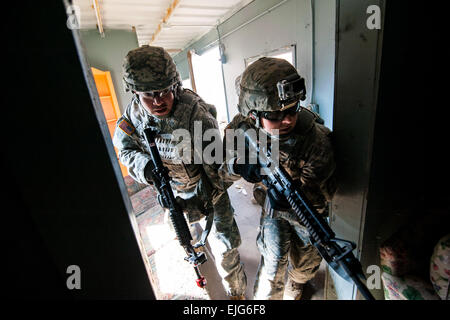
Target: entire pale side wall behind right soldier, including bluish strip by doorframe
column 266, row 25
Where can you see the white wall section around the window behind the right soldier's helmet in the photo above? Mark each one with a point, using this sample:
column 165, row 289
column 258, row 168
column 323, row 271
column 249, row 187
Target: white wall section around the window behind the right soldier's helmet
column 288, row 24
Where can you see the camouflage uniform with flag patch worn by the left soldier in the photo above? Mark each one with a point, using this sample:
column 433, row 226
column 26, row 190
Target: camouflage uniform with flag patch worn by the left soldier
column 196, row 184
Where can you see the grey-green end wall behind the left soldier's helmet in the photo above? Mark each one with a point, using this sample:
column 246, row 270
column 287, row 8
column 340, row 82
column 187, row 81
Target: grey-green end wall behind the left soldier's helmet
column 108, row 53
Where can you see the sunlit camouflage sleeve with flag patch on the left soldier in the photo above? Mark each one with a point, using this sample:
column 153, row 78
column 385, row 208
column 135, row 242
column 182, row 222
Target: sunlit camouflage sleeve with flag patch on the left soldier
column 131, row 153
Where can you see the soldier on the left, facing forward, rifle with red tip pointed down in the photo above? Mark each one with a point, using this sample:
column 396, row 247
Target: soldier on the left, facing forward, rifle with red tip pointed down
column 159, row 102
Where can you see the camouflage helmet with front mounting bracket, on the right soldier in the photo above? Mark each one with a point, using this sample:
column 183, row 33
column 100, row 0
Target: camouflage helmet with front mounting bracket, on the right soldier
column 269, row 84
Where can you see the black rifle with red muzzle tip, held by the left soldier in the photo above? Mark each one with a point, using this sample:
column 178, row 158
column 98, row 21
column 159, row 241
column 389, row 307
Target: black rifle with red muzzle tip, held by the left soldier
column 162, row 184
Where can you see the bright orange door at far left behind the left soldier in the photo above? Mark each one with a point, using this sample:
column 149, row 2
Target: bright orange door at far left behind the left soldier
column 109, row 103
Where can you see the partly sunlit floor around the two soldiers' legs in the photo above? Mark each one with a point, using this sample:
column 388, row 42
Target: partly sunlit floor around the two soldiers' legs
column 174, row 279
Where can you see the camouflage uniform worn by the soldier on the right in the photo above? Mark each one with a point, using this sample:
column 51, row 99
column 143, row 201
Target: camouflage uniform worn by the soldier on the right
column 307, row 156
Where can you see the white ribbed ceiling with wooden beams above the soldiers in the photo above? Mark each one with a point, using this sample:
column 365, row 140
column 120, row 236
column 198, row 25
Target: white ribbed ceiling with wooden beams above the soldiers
column 171, row 24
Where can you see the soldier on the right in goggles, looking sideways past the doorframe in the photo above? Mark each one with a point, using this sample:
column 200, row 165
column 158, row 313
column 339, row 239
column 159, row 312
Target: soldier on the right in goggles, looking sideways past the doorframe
column 305, row 153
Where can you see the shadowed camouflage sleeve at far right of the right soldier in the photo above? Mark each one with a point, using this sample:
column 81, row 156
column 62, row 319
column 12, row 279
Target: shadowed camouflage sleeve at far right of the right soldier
column 318, row 167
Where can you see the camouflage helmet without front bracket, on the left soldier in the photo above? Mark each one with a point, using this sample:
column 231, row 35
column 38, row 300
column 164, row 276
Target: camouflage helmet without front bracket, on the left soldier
column 149, row 68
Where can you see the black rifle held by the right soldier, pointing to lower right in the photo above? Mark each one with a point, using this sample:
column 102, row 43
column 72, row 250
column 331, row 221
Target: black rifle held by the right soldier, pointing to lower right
column 339, row 257
